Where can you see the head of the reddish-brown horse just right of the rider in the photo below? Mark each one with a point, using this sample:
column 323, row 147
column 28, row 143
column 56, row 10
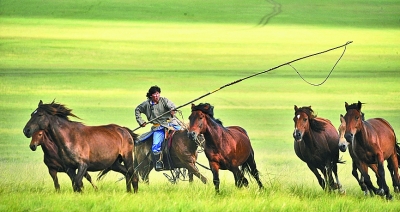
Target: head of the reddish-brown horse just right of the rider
column 198, row 120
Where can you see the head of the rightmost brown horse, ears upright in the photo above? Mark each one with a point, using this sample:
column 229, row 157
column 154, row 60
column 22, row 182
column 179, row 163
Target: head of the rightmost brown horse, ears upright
column 353, row 119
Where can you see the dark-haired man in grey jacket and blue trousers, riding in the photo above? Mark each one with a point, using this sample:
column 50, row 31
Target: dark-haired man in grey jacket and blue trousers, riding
column 153, row 107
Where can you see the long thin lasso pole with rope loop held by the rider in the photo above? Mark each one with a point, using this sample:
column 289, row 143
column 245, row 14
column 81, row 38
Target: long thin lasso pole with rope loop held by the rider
column 256, row 74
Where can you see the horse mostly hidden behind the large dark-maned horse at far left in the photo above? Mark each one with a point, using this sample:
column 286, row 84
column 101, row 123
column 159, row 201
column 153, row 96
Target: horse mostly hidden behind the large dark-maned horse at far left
column 51, row 158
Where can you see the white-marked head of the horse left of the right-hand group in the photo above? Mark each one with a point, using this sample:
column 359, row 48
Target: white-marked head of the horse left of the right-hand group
column 302, row 118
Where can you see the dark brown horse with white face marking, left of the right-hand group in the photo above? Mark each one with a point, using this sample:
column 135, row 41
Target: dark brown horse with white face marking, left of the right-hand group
column 316, row 143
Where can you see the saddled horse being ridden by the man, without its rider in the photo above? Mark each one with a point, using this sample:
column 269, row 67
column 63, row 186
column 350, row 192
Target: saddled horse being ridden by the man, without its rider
column 182, row 154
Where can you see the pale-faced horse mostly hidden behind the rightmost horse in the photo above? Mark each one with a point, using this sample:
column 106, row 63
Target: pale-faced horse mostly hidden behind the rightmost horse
column 356, row 164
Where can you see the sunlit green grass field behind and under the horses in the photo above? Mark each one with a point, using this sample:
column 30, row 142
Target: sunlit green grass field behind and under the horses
column 100, row 57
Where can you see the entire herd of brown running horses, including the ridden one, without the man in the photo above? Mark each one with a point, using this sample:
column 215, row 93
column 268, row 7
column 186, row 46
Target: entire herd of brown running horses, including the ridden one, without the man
column 76, row 149
